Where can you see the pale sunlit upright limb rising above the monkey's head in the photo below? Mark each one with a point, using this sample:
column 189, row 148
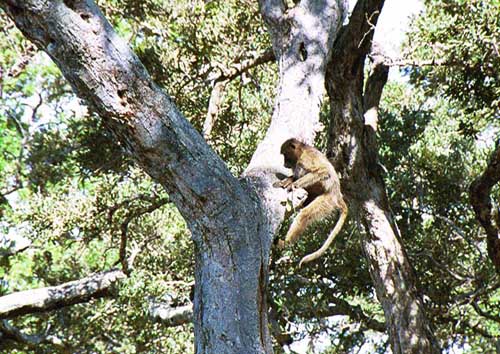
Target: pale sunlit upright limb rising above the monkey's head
column 302, row 40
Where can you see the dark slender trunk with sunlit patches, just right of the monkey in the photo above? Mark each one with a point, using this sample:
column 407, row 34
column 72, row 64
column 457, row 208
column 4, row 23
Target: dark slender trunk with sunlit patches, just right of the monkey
column 354, row 152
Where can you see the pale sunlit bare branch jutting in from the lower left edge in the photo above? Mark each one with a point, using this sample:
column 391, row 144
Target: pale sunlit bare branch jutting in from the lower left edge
column 55, row 297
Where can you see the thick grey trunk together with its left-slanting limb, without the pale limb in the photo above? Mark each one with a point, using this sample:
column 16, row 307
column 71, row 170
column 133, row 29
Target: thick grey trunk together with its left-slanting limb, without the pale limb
column 229, row 229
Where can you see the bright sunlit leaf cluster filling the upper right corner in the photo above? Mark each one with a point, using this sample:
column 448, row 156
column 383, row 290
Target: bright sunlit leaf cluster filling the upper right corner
column 464, row 36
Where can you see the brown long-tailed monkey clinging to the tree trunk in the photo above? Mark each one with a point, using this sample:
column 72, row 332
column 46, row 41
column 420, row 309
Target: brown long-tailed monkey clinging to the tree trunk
column 313, row 172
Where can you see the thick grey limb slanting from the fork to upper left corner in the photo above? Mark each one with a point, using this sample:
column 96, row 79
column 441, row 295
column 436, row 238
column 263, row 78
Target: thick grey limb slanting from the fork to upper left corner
column 109, row 76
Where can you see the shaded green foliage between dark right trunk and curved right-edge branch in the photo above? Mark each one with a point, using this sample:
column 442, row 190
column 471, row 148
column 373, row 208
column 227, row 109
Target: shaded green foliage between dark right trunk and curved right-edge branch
column 430, row 164
